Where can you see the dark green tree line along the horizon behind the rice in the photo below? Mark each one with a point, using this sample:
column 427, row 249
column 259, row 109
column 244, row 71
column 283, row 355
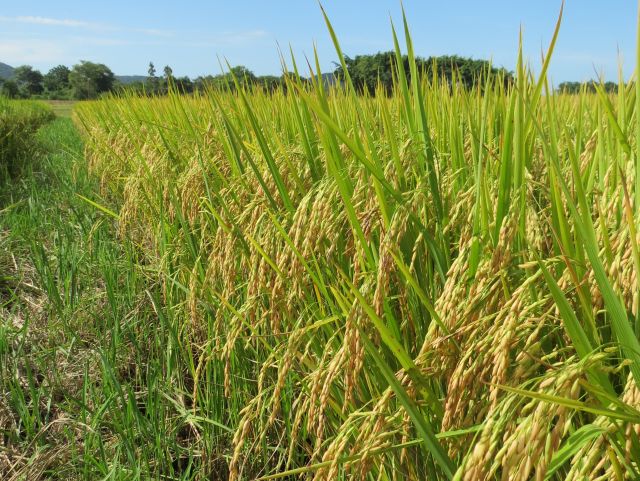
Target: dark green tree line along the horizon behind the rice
column 372, row 73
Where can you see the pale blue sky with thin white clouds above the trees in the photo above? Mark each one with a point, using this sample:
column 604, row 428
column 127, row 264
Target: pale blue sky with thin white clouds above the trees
column 126, row 35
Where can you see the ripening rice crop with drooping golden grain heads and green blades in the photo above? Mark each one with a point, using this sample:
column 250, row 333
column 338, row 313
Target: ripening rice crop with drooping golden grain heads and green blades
column 312, row 283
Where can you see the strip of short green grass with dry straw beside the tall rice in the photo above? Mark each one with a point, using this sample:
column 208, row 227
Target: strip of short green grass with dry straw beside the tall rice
column 76, row 315
